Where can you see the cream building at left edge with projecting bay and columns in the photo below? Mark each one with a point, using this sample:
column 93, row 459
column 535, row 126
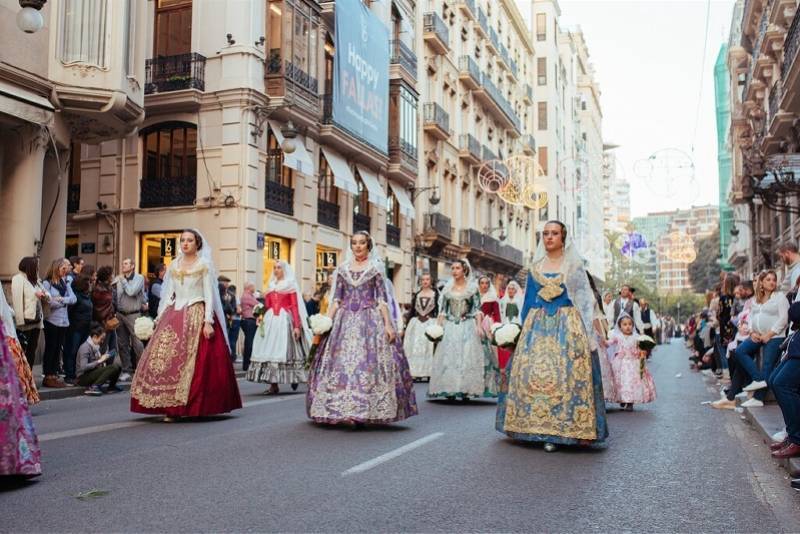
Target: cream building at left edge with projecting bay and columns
column 78, row 79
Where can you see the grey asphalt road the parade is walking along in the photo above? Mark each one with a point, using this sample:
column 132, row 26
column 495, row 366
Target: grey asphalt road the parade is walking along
column 672, row 466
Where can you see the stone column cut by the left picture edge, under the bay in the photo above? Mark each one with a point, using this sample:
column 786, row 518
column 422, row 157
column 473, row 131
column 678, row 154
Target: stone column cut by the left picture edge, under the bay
column 21, row 197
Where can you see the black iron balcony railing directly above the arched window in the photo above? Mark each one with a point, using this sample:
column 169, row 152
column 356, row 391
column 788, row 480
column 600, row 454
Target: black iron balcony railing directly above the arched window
column 174, row 73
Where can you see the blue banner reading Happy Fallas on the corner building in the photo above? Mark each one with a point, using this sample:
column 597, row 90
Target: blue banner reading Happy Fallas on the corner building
column 361, row 74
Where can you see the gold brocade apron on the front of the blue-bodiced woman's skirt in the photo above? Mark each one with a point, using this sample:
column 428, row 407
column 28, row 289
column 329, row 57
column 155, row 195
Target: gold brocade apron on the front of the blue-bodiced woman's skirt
column 550, row 388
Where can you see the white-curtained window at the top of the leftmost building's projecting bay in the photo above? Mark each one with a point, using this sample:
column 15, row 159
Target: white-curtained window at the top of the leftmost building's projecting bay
column 84, row 32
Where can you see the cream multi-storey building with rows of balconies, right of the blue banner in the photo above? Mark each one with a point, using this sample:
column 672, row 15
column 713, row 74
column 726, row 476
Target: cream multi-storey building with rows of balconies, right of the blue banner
column 477, row 111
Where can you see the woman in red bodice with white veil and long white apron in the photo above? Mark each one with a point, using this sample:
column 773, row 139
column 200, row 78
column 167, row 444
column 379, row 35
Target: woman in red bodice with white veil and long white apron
column 283, row 337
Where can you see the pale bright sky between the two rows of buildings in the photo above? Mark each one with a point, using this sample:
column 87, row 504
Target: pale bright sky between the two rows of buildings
column 648, row 57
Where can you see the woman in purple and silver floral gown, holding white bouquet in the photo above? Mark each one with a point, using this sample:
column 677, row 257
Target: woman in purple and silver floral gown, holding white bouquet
column 360, row 373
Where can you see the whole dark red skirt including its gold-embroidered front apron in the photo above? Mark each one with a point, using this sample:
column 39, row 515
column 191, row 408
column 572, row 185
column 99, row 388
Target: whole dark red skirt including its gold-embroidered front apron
column 181, row 373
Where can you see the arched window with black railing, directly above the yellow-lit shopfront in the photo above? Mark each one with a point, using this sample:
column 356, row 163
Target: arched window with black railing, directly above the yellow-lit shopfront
column 170, row 165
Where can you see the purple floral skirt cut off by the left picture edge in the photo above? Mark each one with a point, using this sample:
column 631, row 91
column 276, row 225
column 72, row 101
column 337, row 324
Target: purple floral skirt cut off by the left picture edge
column 19, row 446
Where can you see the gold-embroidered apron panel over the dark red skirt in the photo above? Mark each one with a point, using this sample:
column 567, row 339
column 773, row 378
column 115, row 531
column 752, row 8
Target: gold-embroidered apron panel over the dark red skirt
column 165, row 373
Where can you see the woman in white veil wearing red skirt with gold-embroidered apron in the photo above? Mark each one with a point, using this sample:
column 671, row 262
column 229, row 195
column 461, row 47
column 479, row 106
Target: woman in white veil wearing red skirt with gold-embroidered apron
column 186, row 370
